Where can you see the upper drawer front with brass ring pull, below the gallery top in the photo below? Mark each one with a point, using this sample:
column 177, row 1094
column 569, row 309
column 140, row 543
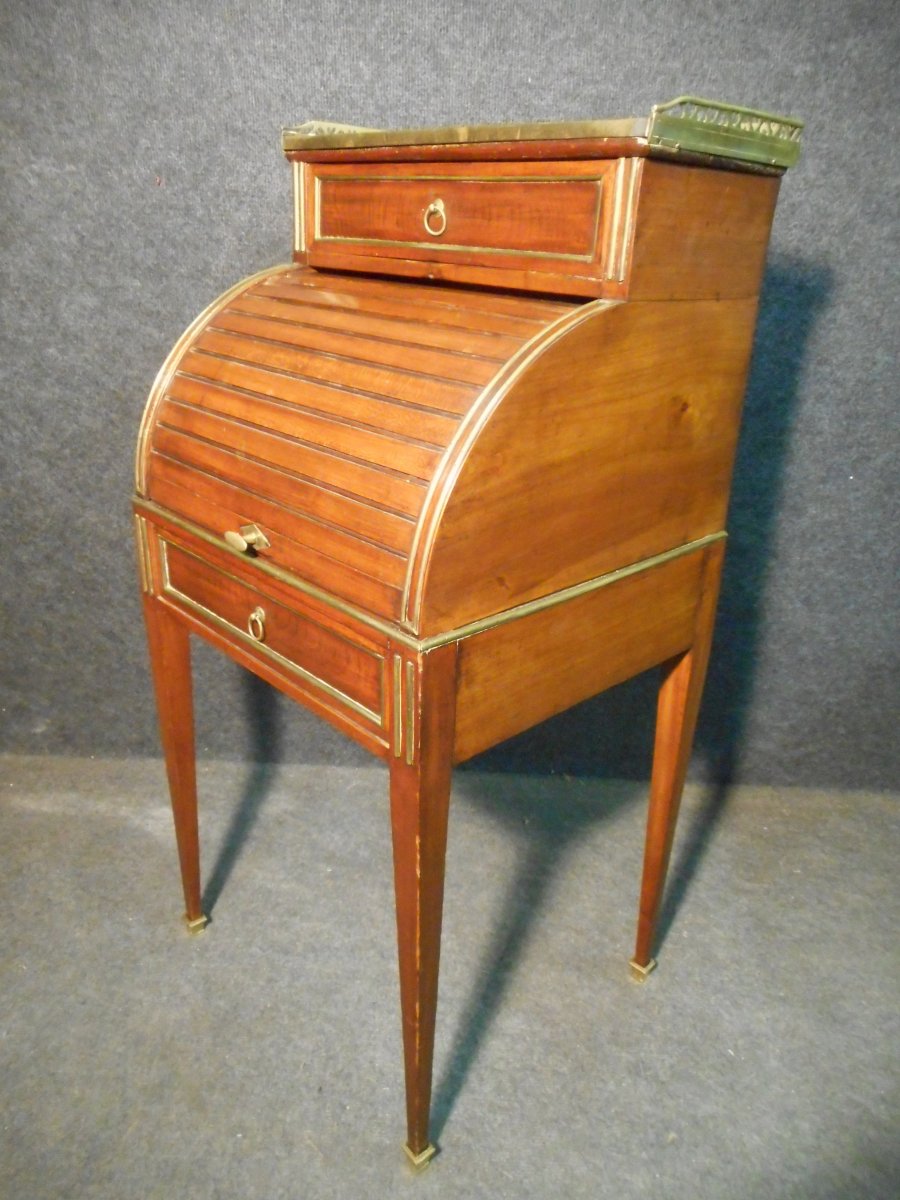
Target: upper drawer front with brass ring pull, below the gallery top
column 537, row 226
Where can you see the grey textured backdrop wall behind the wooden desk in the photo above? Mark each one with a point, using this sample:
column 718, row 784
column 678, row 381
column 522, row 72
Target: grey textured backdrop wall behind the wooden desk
column 142, row 176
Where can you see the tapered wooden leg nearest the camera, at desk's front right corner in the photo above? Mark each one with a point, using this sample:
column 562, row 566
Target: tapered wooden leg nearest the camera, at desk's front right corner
column 421, row 796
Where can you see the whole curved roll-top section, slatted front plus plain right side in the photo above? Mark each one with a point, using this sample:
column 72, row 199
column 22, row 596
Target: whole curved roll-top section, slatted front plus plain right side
column 435, row 457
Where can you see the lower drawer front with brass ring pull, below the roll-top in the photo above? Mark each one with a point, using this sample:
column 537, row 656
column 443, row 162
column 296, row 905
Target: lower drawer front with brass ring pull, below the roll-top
column 328, row 662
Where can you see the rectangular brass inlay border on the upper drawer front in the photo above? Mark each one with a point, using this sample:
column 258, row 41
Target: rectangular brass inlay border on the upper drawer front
column 335, row 182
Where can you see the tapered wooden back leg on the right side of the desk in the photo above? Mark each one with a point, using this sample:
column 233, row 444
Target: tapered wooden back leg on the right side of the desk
column 677, row 710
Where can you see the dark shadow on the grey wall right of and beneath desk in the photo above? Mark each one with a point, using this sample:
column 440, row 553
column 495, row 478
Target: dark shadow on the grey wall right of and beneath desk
column 611, row 736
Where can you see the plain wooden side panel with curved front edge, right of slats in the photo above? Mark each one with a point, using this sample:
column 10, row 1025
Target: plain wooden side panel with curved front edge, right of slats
column 616, row 445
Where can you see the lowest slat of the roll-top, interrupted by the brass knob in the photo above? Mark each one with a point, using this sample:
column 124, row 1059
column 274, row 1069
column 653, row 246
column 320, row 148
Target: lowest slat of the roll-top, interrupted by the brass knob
column 326, row 573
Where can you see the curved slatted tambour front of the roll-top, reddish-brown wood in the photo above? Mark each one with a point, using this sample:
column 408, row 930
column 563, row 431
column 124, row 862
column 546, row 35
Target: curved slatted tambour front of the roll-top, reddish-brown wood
column 319, row 407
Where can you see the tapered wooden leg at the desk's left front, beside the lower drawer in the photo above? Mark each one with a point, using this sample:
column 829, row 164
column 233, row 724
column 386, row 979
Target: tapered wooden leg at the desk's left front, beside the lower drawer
column 171, row 663
